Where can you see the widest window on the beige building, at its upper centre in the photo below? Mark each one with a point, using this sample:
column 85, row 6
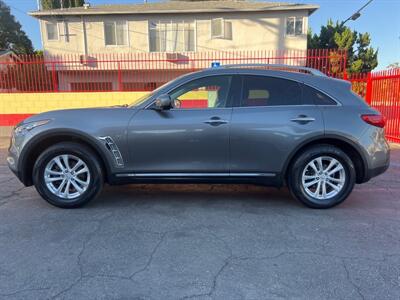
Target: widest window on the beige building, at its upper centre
column 172, row 36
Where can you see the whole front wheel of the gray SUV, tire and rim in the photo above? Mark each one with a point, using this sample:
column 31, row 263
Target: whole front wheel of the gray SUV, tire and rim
column 68, row 175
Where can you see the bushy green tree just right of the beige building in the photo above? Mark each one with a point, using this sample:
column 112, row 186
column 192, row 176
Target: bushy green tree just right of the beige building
column 361, row 57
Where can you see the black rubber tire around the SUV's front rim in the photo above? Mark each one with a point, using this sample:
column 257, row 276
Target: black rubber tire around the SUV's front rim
column 80, row 151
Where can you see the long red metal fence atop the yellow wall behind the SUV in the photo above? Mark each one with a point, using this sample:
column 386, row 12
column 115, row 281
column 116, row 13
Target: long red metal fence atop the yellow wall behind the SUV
column 142, row 71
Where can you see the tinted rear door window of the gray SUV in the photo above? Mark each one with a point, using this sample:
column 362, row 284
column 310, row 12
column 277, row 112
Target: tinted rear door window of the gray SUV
column 270, row 91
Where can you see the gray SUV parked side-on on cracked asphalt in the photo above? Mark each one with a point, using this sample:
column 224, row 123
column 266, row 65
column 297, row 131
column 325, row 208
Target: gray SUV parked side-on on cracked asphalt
column 235, row 124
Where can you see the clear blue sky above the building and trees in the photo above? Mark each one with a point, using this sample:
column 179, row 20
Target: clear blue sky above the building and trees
column 381, row 19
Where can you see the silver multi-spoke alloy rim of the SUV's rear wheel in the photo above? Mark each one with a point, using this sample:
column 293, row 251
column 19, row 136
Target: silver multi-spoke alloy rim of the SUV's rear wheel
column 323, row 177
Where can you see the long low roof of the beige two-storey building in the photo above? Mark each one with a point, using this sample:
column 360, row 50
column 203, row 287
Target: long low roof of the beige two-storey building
column 177, row 7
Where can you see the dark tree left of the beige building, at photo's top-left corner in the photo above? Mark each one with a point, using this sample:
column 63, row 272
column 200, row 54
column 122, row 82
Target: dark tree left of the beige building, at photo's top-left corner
column 11, row 35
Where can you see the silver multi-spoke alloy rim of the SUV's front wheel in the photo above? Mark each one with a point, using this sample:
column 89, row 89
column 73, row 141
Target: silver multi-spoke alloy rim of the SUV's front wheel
column 67, row 176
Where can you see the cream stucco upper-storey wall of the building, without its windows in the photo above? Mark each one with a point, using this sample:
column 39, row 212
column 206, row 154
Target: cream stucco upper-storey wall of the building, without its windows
column 247, row 31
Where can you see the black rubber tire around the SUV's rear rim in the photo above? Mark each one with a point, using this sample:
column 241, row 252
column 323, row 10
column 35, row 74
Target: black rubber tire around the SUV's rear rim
column 303, row 159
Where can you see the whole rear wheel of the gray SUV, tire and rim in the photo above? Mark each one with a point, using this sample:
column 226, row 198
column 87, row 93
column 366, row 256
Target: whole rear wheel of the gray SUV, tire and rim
column 322, row 176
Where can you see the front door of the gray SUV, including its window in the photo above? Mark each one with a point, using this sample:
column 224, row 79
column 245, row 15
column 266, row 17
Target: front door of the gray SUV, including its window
column 190, row 139
